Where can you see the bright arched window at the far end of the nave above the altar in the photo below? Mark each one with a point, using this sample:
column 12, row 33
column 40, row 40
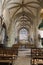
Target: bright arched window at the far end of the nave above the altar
column 23, row 35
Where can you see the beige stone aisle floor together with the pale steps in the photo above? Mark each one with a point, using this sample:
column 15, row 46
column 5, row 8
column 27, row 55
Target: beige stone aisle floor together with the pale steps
column 23, row 58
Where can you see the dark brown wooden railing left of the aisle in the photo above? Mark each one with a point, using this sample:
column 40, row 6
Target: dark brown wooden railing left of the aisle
column 8, row 54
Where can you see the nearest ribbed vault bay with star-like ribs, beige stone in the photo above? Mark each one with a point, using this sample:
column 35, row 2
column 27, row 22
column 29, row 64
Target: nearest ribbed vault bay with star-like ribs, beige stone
column 16, row 6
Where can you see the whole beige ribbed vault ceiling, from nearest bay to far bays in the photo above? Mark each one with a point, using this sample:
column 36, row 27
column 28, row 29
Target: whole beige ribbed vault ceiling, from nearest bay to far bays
column 25, row 10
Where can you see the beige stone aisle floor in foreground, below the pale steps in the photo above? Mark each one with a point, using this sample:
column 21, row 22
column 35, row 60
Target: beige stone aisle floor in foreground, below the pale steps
column 22, row 61
